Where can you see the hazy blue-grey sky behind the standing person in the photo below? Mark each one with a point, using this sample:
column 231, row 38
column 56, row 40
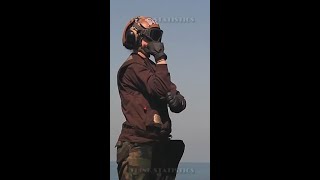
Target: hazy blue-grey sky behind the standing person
column 186, row 38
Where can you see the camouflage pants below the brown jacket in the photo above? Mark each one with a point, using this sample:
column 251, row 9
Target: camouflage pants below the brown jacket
column 149, row 161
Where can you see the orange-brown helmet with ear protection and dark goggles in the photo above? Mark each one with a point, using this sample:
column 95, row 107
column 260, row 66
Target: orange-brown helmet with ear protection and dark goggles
column 138, row 28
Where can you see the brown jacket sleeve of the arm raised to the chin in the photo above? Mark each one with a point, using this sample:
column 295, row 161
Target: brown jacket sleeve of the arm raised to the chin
column 156, row 83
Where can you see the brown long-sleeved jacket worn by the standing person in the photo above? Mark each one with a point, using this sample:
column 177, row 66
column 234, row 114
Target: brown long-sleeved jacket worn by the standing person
column 143, row 86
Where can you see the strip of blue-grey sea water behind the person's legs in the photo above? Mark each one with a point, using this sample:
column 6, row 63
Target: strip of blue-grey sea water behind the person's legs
column 186, row 171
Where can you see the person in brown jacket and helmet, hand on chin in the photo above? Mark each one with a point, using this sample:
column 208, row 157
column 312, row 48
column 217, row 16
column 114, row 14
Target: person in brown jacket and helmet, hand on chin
column 145, row 150
